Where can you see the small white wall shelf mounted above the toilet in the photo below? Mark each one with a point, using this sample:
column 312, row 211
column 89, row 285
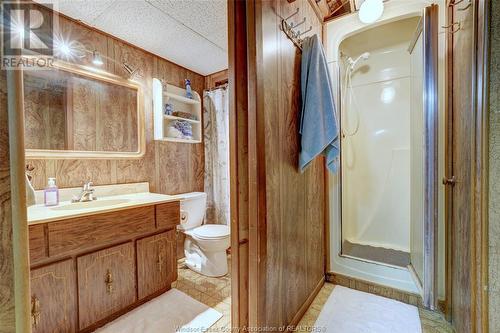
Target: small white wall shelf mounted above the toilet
column 163, row 94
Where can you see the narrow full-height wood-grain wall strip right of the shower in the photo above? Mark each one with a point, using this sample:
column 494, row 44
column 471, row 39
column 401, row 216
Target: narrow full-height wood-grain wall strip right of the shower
column 469, row 290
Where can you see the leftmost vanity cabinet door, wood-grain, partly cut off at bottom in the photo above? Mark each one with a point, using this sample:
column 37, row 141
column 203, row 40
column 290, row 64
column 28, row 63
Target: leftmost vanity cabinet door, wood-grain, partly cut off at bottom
column 53, row 298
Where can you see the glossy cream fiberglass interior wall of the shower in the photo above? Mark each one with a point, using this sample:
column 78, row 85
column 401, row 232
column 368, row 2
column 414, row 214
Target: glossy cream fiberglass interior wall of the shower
column 379, row 150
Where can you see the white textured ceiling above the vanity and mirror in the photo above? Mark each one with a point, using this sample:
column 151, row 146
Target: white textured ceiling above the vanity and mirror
column 191, row 33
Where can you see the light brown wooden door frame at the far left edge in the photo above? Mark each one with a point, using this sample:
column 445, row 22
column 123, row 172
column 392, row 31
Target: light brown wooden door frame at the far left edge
column 15, row 307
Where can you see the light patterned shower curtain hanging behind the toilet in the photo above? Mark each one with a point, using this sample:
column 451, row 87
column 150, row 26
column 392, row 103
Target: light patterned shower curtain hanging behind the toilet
column 216, row 138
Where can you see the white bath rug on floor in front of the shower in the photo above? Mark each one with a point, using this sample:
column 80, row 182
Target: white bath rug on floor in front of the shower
column 352, row 311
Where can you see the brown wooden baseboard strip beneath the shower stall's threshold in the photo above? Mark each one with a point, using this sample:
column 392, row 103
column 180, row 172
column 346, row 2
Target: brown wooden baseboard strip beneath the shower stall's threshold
column 374, row 288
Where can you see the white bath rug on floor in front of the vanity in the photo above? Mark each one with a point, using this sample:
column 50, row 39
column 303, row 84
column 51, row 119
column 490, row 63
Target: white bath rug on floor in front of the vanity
column 171, row 312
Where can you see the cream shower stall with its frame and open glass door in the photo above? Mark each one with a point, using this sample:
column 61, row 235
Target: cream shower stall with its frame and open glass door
column 384, row 199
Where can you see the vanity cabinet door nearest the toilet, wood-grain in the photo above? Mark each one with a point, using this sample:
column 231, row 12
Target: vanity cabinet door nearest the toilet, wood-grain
column 156, row 263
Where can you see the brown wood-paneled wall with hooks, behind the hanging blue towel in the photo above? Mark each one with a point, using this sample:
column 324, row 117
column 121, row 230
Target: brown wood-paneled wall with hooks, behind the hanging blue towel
column 293, row 266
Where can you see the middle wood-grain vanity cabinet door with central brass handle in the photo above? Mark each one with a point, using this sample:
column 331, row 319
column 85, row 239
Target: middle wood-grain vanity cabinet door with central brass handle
column 106, row 282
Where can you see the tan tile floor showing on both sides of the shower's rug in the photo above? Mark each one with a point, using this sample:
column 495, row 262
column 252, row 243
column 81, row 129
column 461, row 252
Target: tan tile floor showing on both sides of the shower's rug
column 432, row 322
